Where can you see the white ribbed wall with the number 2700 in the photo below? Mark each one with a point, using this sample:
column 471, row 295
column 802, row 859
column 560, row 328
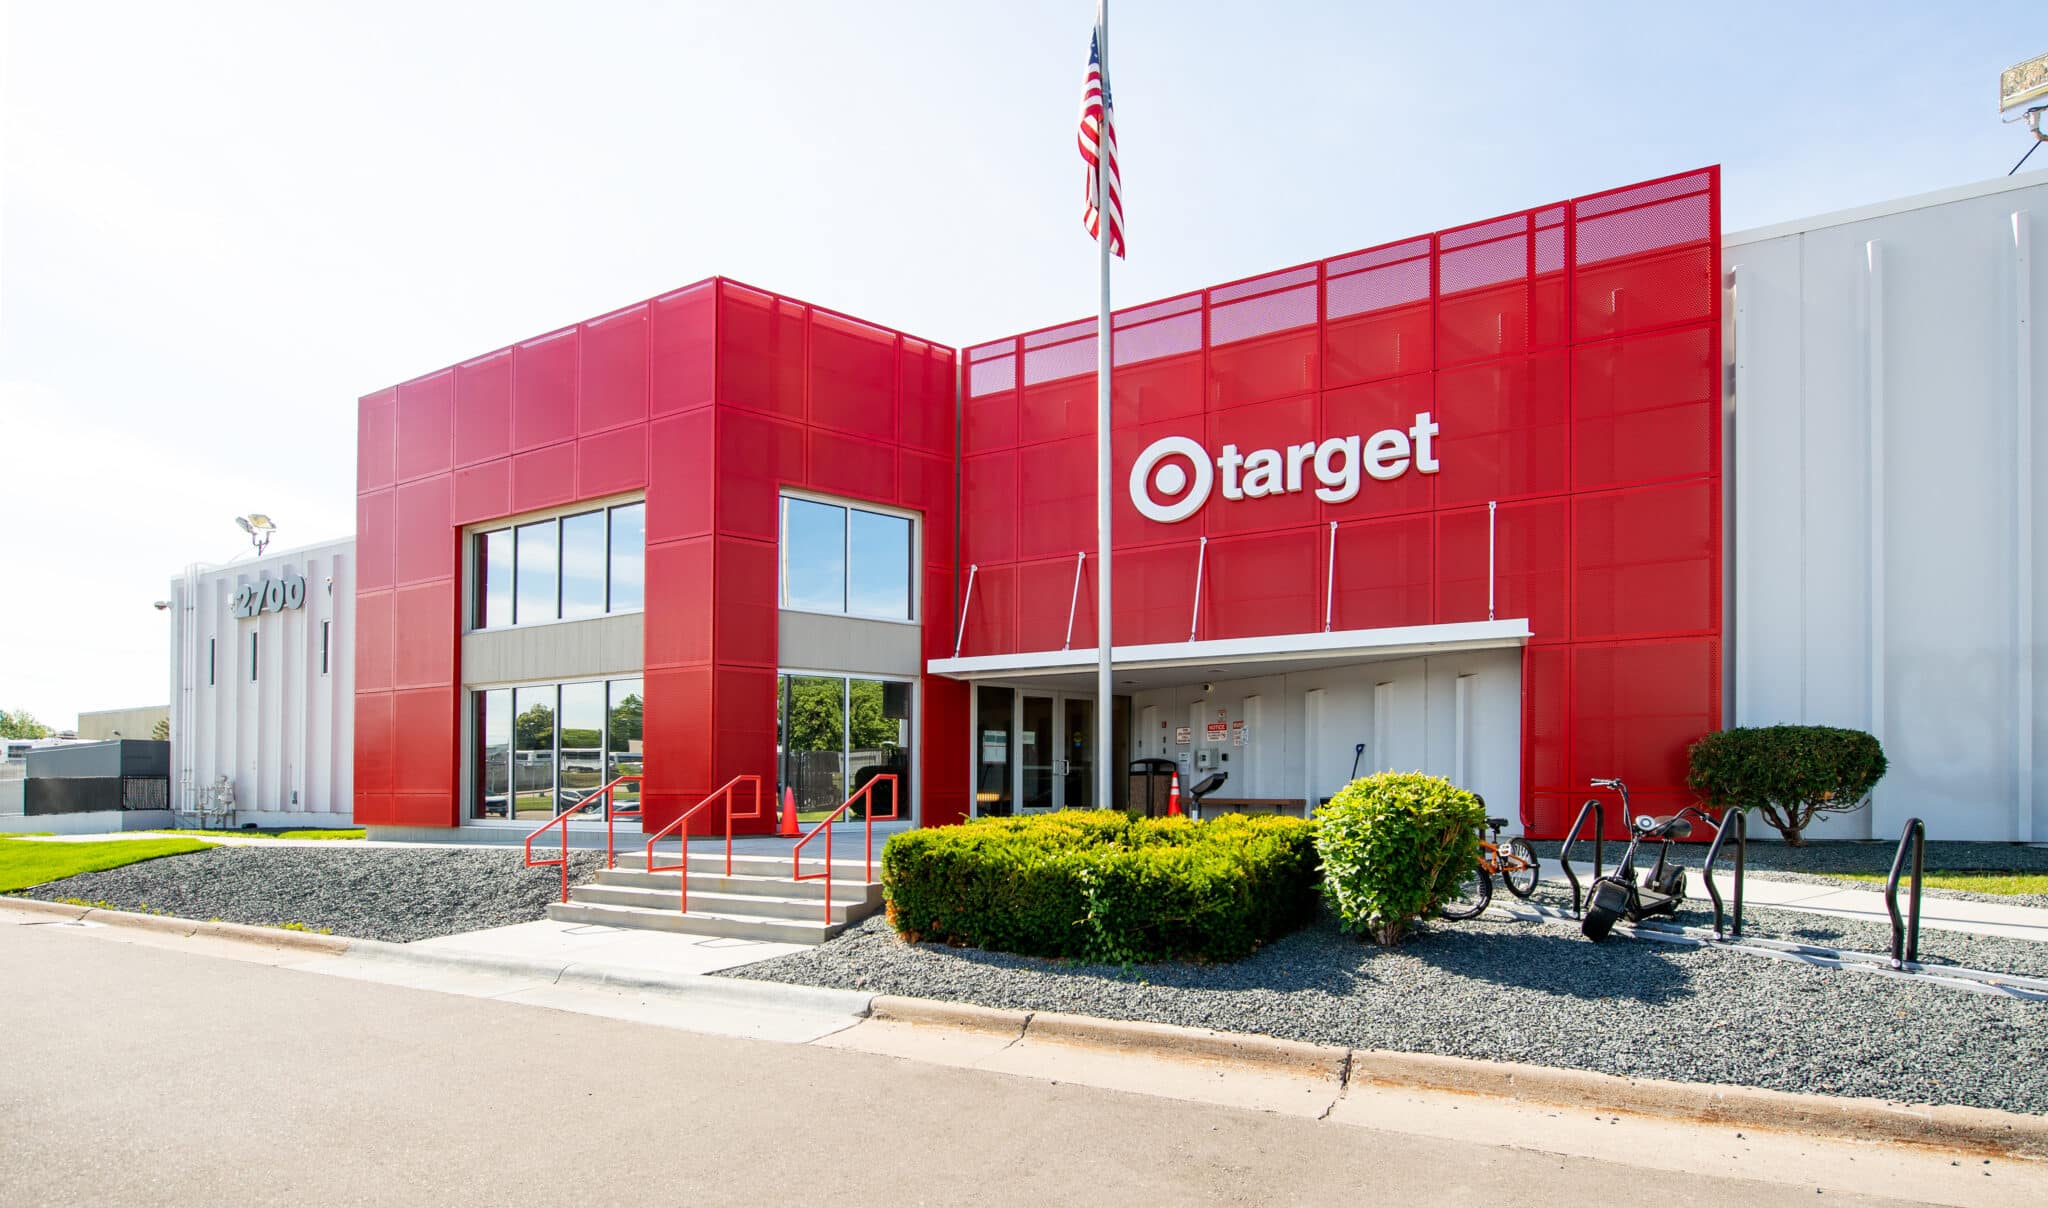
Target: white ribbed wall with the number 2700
column 288, row 738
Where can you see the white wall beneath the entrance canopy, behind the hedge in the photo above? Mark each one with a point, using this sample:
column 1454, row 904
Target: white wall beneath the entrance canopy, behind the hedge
column 1304, row 728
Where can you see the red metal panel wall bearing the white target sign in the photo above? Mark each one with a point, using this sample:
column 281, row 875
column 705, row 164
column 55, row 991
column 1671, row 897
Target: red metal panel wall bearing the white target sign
column 1570, row 355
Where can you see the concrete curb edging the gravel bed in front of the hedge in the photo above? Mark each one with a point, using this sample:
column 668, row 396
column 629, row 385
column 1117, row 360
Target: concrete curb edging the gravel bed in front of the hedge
column 1947, row 1127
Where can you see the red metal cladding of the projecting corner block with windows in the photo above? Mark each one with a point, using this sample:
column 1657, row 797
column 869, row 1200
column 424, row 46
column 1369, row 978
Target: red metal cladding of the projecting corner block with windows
column 712, row 400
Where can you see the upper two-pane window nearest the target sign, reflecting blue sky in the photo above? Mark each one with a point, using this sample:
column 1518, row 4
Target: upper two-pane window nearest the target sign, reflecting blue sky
column 847, row 560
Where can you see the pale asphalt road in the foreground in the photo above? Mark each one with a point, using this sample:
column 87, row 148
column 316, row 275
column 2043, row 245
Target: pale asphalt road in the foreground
column 148, row 1076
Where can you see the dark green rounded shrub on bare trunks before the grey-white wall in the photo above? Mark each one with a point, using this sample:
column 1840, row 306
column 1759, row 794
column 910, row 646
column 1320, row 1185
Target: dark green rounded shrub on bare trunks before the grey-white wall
column 1787, row 773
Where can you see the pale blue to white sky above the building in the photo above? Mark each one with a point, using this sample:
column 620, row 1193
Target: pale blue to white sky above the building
column 220, row 224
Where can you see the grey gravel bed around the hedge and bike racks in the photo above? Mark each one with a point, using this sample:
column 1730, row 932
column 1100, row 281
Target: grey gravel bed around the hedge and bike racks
column 1541, row 994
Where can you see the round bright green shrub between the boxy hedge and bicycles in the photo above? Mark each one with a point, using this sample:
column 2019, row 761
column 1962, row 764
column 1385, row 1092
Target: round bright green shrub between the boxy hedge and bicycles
column 1394, row 847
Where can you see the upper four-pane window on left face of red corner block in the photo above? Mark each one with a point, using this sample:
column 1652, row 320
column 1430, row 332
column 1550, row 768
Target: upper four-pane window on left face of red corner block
column 577, row 566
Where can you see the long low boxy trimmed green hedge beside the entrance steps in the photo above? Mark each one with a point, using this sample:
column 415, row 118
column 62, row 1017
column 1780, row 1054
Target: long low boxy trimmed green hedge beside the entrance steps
column 1101, row 886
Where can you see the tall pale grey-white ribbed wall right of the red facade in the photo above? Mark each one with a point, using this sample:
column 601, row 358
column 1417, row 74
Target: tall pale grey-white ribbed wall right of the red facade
column 1885, row 554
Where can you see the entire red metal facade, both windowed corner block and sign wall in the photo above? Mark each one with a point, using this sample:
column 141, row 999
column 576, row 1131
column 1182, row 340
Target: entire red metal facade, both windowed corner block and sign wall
column 1570, row 355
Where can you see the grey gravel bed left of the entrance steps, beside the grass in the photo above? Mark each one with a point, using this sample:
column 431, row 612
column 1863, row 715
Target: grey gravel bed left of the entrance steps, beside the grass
column 372, row 894
